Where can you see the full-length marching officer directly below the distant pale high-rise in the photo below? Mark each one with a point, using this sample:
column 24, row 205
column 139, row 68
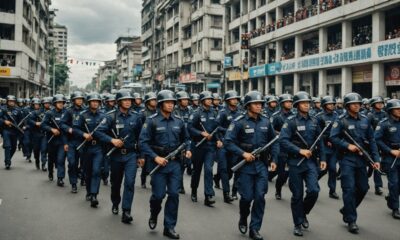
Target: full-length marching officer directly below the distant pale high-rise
column 55, row 139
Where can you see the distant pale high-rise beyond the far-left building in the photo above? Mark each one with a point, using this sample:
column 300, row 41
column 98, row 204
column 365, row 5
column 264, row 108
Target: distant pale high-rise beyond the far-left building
column 58, row 38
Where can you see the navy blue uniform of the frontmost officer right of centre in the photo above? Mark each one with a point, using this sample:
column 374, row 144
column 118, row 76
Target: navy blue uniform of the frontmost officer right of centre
column 244, row 135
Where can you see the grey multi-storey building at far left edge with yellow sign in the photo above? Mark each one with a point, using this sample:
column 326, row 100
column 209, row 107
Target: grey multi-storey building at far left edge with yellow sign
column 24, row 27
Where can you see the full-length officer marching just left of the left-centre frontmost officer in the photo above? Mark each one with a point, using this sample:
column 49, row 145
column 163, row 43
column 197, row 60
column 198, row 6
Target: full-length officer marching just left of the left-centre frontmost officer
column 126, row 125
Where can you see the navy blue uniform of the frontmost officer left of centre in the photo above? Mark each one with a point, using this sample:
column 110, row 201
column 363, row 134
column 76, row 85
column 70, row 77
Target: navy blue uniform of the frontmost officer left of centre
column 159, row 137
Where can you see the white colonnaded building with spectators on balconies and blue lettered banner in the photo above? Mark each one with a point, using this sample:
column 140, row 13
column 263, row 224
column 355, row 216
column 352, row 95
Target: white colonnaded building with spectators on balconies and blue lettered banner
column 323, row 47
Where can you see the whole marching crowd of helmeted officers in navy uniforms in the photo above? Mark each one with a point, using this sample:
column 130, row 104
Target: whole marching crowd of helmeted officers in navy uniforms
column 296, row 138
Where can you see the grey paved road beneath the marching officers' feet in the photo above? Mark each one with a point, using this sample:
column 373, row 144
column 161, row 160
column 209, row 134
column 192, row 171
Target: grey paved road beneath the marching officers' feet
column 31, row 207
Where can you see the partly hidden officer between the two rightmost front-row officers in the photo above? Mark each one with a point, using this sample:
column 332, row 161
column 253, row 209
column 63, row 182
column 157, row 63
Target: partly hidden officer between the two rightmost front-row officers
column 375, row 115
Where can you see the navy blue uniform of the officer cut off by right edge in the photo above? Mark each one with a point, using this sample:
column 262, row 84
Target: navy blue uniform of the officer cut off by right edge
column 387, row 137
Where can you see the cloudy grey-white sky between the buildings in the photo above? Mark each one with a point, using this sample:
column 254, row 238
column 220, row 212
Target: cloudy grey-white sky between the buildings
column 93, row 27
